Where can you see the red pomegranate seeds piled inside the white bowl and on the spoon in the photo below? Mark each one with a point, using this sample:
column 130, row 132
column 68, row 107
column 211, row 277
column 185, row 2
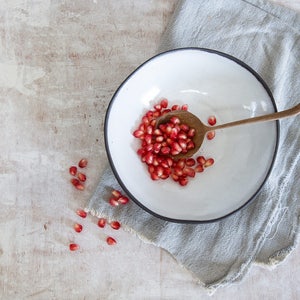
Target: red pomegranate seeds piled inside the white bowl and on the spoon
column 171, row 138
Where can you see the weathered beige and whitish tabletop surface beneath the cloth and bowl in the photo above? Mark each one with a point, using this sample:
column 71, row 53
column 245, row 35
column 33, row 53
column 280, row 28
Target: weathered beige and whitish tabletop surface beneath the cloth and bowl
column 61, row 61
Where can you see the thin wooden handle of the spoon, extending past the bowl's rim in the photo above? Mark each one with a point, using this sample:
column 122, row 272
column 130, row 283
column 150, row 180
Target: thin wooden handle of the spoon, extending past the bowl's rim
column 270, row 117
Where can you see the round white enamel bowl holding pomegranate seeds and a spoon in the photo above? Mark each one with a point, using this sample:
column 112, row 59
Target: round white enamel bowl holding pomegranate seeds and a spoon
column 211, row 83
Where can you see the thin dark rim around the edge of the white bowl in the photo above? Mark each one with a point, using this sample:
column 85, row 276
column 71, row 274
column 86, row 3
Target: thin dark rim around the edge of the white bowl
column 123, row 186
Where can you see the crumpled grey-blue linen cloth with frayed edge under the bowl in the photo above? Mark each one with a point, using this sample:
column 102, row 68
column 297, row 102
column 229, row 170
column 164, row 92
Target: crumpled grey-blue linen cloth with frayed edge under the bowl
column 266, row 37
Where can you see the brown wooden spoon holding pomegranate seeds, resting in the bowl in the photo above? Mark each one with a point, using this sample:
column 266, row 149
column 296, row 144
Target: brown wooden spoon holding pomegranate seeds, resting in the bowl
column 201, row 129
